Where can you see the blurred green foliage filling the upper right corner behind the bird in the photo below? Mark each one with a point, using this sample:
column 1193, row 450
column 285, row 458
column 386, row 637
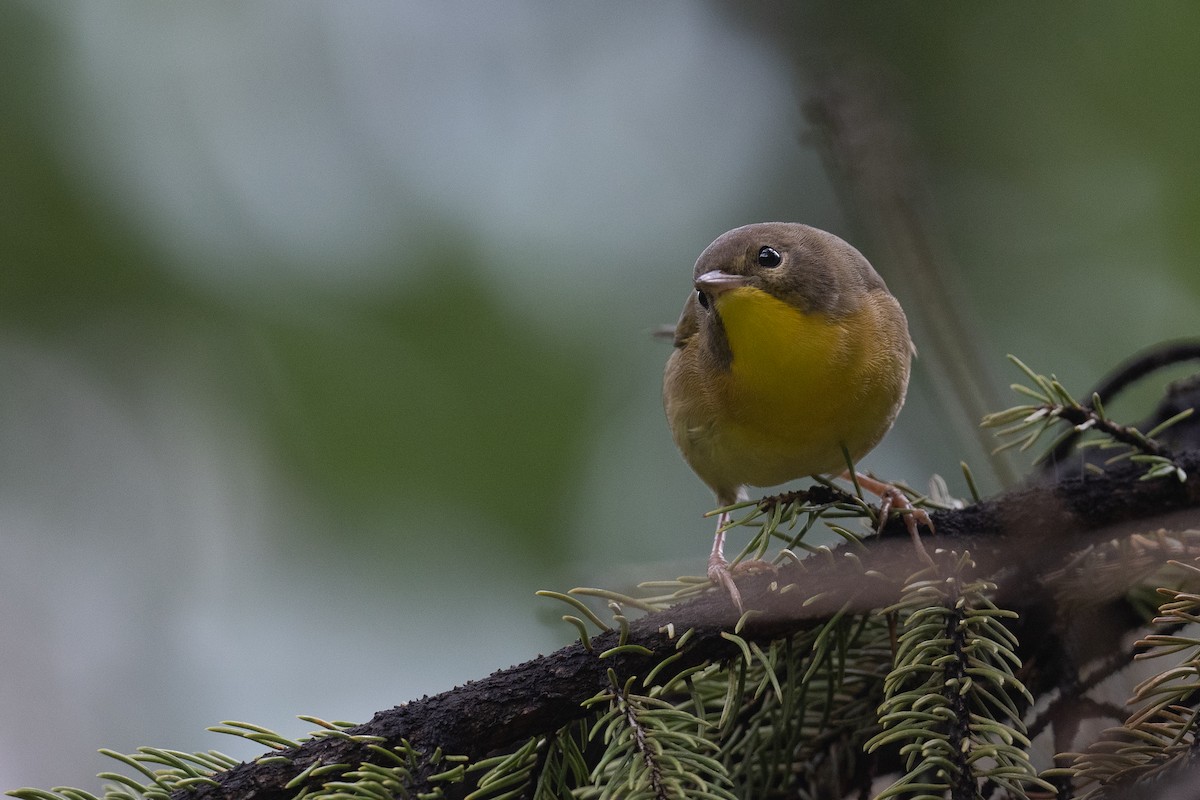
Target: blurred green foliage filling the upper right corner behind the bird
column 1059, row 142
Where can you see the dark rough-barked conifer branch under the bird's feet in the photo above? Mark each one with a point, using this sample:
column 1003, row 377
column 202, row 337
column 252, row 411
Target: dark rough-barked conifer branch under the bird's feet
column 1021, row 536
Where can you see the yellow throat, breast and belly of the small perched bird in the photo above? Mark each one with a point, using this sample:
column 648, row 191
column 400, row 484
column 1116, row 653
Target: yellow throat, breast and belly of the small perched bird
column 799, row 392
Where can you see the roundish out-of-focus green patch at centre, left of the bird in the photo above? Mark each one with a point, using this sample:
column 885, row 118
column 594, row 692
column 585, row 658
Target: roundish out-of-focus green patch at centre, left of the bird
column 434, row 394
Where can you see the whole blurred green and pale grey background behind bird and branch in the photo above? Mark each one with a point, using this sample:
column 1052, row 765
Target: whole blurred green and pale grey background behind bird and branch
column 326, row 328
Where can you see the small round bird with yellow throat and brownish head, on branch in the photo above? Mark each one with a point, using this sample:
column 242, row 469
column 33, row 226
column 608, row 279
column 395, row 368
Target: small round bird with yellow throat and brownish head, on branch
column 790, row 356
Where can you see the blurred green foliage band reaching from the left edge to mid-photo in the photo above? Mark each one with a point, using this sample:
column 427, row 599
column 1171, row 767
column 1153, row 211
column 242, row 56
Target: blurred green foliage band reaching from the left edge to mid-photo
column 430, row 392
